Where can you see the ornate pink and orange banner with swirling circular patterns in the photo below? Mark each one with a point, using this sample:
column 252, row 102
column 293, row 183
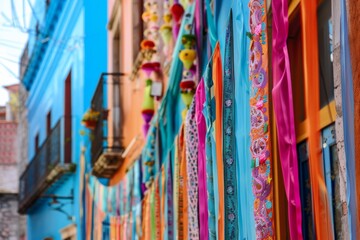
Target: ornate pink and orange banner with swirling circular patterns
column 259, row 113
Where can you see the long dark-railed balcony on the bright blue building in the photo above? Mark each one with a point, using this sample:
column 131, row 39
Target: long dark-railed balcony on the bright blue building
column 51, row 162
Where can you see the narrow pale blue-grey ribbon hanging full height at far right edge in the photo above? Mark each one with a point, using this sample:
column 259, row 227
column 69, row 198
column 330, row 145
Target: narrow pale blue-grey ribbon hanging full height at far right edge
column 348, row 120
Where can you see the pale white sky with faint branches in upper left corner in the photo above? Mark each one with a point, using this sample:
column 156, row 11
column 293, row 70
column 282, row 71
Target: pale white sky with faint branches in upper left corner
column 13, row 37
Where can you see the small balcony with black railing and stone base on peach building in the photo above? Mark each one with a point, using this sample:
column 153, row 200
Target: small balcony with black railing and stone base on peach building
column 106, row 145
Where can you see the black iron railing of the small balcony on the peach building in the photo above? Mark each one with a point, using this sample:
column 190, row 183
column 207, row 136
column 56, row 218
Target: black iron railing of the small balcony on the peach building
column 101, row 141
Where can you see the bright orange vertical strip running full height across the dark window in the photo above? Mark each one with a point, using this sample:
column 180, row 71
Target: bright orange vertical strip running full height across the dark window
column 323, row 225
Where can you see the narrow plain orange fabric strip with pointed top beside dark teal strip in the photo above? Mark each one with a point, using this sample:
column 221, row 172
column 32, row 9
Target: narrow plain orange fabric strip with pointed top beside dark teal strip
column 218, row 86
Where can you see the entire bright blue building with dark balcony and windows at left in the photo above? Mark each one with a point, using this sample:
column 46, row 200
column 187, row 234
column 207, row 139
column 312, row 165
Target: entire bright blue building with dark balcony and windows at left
column 65, row 55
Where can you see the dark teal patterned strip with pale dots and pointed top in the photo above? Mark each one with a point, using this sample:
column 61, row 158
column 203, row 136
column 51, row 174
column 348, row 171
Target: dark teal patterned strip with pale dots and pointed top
column 229, row 163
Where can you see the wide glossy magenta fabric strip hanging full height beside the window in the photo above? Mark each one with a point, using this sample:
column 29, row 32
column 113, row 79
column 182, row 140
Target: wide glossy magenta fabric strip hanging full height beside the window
column 284, row 114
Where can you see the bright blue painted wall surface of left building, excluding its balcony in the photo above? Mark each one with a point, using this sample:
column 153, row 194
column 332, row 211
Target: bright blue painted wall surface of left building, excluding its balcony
column 78, row 44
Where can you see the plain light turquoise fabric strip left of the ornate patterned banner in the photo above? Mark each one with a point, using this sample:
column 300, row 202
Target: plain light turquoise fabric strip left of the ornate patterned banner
column 242, row 119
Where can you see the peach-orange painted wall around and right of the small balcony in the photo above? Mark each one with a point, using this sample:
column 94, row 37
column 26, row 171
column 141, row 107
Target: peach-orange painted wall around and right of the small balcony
column 131, row 91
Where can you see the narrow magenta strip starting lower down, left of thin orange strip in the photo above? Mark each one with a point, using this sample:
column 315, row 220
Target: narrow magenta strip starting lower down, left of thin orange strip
column 200, row 120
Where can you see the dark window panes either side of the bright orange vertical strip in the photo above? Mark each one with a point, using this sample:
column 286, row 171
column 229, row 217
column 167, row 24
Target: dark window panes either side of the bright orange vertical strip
column 326, row 114
